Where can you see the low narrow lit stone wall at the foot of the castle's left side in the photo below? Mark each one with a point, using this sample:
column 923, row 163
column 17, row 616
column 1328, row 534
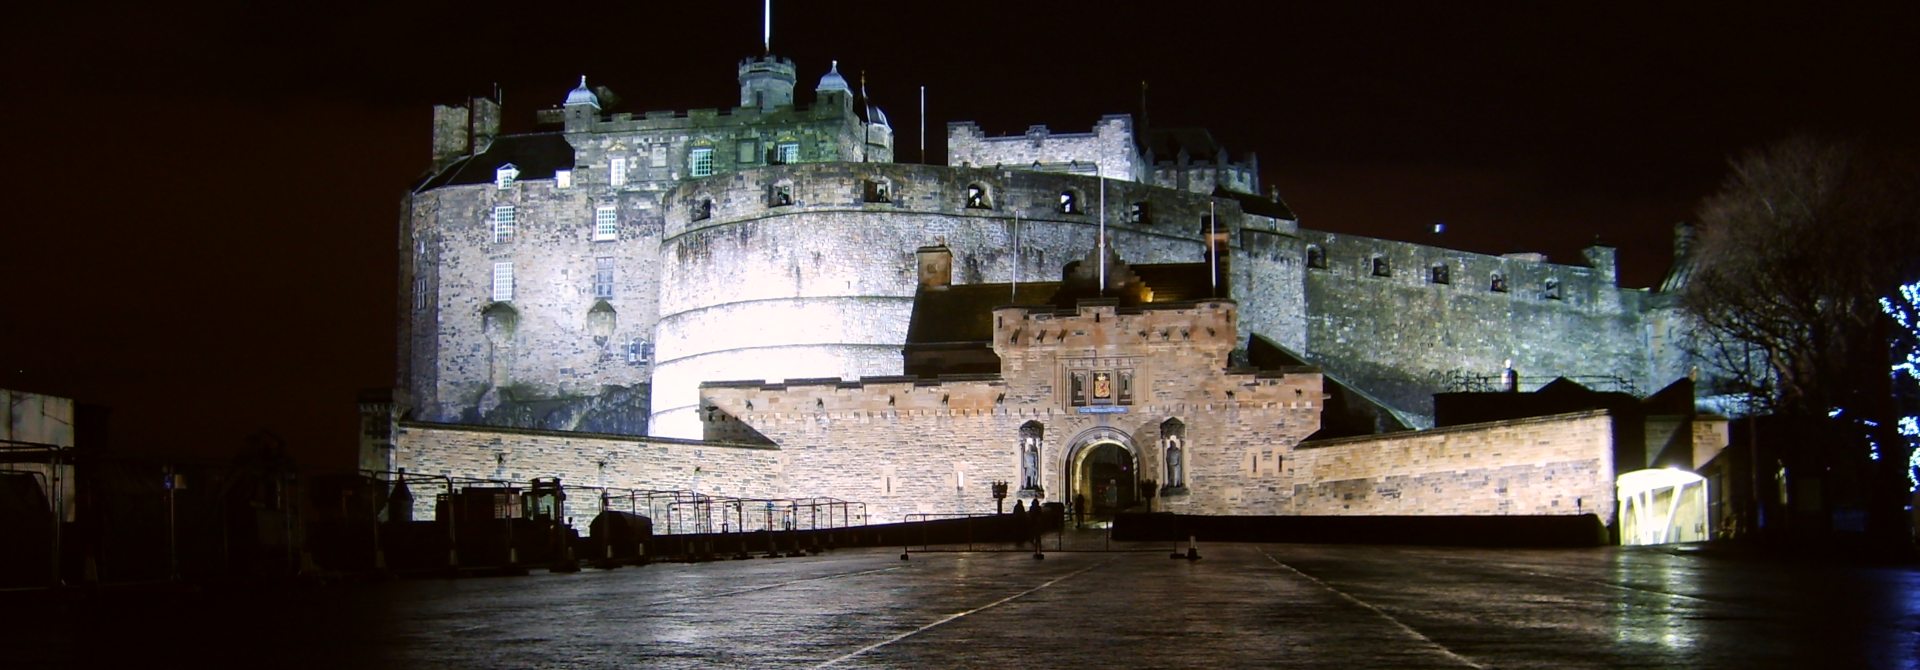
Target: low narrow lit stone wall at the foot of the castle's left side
column 583, row 460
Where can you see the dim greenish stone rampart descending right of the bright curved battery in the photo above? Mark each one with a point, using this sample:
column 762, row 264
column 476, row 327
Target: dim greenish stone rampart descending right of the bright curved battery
column 1406, row 337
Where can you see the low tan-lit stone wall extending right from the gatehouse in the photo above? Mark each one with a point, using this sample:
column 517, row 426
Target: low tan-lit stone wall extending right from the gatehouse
column 1548, row 466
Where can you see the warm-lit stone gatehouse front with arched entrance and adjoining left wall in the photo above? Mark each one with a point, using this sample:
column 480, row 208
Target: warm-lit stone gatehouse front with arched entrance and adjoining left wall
column 919, row 446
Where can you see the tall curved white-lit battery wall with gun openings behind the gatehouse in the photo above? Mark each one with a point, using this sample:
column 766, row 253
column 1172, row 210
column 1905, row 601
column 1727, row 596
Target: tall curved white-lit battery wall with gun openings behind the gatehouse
column 794, row 272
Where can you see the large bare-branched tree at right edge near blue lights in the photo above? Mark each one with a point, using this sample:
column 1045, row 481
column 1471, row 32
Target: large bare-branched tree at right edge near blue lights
column 1796, row 254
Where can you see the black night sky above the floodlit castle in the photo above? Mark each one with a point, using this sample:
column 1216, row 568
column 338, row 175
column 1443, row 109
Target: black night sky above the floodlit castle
column 206, row 197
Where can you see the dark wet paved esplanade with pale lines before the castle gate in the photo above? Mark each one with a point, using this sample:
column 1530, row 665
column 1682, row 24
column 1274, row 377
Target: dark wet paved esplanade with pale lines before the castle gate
column 1241, row 608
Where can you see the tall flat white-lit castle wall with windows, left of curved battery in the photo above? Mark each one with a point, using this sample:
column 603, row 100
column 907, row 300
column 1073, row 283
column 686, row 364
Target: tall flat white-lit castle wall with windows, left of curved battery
column 542, row 366
